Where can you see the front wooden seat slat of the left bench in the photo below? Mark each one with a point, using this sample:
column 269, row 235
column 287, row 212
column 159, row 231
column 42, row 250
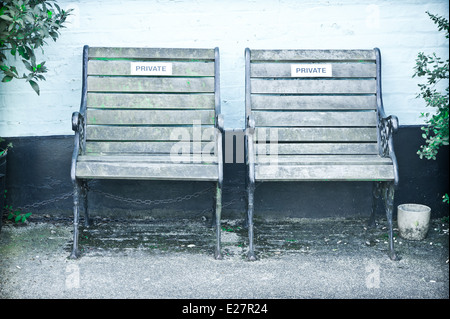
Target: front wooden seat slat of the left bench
column 147, row 171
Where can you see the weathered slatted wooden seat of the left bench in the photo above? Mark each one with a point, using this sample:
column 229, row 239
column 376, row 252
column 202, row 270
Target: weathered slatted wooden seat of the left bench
column 158, row 167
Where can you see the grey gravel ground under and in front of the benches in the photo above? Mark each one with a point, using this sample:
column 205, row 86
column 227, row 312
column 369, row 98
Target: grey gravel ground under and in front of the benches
column 333, row 258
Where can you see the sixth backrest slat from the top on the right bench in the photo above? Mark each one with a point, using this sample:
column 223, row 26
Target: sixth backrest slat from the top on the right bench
column 311, row 134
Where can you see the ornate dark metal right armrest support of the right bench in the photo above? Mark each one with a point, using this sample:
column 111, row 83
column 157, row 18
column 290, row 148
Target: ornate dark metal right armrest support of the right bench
column 389, row 126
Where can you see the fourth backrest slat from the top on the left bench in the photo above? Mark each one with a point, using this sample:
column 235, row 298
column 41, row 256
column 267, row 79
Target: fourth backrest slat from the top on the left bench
column 166, row 101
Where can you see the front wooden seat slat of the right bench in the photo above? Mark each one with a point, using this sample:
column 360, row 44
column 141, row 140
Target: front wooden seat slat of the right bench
column 324, row 172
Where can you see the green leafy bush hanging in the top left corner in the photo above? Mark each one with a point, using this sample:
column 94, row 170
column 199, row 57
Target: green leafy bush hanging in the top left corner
column 24, row 27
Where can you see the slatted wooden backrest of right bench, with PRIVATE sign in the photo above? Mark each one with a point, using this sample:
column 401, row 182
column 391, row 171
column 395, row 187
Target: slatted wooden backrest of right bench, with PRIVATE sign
column 313, row 101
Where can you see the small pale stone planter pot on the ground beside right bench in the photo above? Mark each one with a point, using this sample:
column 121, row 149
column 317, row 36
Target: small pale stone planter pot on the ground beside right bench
column 413, row 221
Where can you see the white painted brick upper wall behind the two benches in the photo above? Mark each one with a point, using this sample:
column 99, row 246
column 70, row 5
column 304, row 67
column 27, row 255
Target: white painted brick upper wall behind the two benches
column 400, row 29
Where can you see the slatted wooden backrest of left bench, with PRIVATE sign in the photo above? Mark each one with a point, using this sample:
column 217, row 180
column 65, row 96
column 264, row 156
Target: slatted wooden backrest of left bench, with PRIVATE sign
column 145, row 100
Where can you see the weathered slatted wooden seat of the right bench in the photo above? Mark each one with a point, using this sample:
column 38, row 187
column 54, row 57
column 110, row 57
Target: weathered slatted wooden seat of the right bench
column 323, row 168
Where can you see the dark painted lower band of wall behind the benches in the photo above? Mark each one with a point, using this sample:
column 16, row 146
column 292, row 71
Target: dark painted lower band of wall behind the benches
column 38, row 172
